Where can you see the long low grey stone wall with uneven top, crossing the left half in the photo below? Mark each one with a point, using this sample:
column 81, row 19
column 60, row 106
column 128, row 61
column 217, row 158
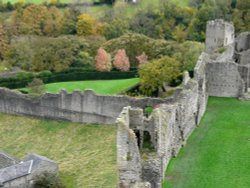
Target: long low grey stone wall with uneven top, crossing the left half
column 84, row 107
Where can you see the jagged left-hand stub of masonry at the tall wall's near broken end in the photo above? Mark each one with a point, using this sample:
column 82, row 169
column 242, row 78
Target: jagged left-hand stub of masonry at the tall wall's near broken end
column 128, row 157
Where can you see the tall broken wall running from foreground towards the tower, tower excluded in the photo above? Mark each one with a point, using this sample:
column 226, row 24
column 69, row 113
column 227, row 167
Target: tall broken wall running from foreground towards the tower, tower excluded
column 169, row 126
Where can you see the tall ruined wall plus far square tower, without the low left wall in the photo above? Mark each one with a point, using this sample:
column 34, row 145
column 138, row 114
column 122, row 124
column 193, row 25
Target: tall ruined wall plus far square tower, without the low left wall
column 146, row 145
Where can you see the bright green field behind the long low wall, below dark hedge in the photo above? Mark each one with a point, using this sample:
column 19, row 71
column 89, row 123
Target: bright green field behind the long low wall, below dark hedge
column 107, row 87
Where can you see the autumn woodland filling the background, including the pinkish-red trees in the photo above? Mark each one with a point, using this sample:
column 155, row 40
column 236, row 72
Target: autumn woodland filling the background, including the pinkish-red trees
column 159, row 39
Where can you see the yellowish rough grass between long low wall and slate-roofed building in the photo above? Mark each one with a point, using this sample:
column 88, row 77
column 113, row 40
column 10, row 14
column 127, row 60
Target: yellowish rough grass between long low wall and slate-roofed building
column 86, row 154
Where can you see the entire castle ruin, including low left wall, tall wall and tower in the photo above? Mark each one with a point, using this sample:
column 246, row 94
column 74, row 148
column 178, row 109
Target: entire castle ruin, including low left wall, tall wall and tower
column 145, row 145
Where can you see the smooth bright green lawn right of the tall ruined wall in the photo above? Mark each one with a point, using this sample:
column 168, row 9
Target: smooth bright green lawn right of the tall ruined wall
column 217, row 154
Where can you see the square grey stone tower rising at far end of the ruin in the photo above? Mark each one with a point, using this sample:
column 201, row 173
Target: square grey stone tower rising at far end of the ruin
column 218, row 34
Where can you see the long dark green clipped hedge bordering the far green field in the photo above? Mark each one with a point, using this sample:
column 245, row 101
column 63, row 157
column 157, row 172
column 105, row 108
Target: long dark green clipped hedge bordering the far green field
column 23, row 78
